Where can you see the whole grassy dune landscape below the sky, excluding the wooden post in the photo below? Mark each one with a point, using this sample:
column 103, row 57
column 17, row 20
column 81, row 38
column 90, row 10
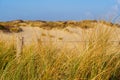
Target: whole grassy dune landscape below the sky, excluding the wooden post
column 92, row 54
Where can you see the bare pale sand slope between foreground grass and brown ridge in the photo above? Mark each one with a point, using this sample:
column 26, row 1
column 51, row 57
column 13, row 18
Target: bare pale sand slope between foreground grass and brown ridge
column 68, row 35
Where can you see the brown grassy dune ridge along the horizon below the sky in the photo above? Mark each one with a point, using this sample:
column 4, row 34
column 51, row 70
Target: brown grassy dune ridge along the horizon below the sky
column 85, row 24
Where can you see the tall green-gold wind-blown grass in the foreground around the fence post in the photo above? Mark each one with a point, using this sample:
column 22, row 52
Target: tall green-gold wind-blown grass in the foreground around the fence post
column 99, row 60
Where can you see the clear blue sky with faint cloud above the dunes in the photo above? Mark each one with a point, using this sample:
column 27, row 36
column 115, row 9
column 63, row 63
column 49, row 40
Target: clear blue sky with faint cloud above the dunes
column 58, row 9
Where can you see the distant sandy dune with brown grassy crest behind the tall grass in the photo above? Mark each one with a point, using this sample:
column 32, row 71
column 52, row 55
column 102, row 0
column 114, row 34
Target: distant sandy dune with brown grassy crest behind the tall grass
column 59, row 31
